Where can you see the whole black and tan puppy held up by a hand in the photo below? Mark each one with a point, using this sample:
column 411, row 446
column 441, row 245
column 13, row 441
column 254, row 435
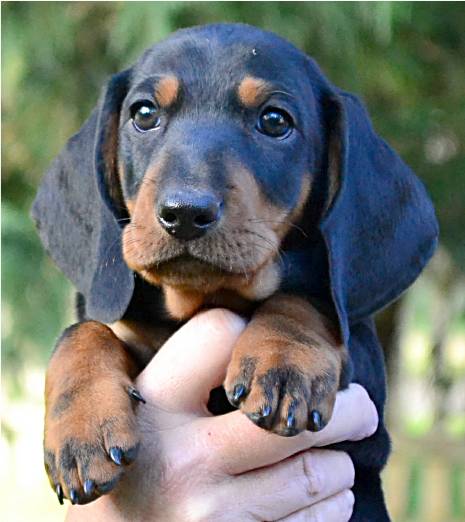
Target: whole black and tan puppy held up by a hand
column 224, row 169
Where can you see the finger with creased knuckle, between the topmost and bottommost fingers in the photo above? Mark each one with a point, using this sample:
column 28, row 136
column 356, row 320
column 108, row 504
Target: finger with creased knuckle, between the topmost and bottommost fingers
column 294, row 484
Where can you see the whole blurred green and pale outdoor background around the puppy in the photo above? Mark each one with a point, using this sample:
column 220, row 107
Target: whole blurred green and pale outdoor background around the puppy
column 406, row 60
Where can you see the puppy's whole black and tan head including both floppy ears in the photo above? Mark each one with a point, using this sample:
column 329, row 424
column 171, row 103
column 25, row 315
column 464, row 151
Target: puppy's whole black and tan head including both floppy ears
column 203, row 159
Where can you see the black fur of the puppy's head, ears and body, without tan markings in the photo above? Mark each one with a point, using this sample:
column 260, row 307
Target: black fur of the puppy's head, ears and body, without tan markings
column 353, row 257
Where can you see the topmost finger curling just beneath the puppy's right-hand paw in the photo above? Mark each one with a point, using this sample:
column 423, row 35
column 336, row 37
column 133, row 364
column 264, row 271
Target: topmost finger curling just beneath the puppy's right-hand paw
column 238, row 445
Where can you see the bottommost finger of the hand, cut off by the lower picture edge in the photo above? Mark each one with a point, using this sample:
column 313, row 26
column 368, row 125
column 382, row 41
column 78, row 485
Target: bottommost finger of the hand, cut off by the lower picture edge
column 334, row 509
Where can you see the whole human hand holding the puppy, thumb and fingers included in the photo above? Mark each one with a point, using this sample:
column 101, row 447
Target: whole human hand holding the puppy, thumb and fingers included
column 193, row 466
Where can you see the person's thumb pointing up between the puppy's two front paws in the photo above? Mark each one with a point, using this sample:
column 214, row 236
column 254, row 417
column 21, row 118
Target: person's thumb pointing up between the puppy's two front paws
column 192, row 362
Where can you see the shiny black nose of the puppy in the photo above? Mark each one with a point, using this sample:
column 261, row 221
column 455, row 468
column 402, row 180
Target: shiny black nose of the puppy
column 188, row 215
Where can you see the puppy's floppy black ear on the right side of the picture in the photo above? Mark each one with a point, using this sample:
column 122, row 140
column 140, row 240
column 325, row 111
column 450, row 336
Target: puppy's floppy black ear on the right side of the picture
column 380, row 228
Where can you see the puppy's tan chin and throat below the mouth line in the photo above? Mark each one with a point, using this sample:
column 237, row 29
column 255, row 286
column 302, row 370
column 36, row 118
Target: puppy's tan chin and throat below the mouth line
column 190, row 284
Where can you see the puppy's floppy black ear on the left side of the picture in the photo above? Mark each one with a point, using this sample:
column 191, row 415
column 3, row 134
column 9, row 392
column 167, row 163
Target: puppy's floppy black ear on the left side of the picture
column 77, row 214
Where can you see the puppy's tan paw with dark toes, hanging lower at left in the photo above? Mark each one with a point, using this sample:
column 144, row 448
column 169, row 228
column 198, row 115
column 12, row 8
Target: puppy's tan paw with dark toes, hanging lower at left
column 90, row 436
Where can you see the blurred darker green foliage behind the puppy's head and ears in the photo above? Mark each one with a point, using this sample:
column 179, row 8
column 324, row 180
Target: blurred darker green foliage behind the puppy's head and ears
column 405, row 59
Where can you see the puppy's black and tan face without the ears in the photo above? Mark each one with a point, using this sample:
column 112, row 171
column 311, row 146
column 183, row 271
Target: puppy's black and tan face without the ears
column 215, row 163
